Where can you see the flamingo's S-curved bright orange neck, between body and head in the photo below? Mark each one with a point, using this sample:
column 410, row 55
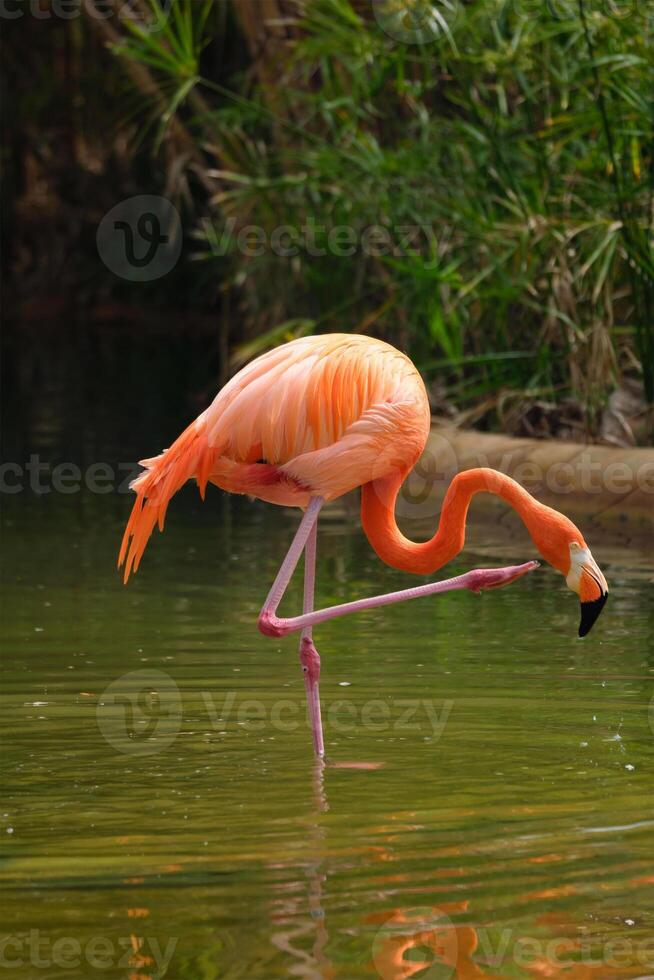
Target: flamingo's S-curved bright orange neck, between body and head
column 378, row 518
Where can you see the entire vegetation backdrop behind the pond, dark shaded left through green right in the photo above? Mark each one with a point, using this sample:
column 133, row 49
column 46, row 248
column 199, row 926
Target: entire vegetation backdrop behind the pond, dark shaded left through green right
column 518, row 136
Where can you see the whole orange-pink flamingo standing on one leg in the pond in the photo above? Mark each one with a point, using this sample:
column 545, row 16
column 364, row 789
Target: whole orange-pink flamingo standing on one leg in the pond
column 313, row 419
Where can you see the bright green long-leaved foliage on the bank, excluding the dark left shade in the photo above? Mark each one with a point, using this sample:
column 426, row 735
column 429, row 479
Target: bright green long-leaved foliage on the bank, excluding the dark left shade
column 518, row 140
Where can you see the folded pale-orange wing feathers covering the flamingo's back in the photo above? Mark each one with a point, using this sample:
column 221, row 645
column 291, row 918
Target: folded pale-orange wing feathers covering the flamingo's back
column 327, row 403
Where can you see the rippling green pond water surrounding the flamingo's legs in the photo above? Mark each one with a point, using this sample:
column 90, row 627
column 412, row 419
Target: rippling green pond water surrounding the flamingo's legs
column 487, row 806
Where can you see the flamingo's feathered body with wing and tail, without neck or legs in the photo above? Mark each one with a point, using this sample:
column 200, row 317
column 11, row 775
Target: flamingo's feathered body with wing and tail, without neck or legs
column 318, row 416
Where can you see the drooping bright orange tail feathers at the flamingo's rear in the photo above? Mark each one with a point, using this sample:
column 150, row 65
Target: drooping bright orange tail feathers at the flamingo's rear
column 189, row 456
